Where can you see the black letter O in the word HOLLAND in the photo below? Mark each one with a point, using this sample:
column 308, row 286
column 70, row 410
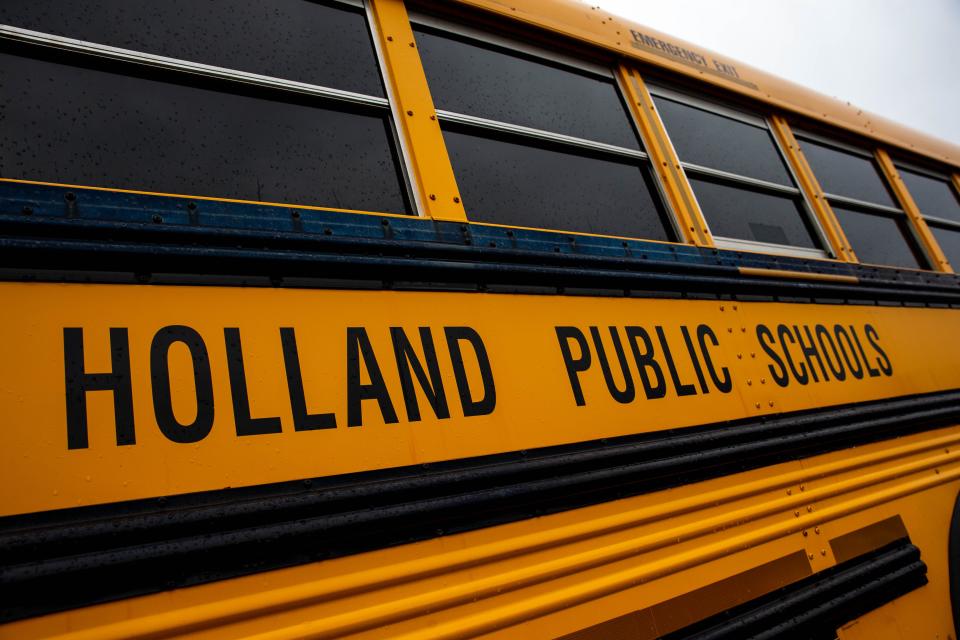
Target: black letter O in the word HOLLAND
column 202, row 383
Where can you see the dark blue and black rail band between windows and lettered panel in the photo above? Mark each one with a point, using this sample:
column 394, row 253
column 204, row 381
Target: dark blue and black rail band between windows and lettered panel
column 86, row 234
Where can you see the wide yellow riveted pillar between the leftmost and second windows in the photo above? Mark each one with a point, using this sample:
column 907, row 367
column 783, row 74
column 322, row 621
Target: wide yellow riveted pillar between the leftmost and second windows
column 415, row 113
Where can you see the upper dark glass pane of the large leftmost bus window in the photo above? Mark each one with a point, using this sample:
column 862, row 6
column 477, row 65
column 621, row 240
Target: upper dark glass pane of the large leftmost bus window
column 290, row 39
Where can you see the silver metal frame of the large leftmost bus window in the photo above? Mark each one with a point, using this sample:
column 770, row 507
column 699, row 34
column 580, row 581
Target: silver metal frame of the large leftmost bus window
column 178, row 65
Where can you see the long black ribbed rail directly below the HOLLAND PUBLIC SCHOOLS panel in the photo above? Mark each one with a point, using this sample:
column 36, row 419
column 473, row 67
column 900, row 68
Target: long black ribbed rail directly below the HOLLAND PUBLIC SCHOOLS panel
column 63, row 559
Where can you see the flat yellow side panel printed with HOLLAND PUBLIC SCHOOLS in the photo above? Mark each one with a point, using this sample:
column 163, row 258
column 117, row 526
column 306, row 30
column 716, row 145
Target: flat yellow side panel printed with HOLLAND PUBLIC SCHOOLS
column 716, row 361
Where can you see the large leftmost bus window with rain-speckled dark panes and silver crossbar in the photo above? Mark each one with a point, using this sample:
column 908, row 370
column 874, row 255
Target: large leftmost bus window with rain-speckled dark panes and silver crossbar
column 89, row 114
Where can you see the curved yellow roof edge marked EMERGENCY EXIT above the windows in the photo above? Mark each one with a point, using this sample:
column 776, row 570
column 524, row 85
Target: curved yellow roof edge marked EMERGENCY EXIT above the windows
column 593, row 25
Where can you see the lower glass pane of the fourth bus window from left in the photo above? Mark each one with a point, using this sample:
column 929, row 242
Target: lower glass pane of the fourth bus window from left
column 880, row 239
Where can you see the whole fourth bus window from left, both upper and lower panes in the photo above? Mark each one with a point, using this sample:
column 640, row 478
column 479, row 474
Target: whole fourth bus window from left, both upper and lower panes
column 878, row 230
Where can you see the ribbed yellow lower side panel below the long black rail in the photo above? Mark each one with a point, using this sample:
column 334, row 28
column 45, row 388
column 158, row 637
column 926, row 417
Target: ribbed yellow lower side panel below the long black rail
column 553, row 575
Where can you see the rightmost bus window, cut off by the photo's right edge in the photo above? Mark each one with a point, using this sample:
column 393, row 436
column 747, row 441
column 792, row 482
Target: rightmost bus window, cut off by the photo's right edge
column 939, row 204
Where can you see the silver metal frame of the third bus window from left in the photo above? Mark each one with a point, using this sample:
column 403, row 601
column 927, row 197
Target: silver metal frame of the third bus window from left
column 796, row 192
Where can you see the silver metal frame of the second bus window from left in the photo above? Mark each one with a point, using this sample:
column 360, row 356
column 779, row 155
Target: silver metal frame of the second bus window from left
column 558, row 58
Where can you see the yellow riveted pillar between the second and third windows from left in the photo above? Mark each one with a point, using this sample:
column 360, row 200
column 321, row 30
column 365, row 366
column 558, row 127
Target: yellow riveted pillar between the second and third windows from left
column 664, row 159
